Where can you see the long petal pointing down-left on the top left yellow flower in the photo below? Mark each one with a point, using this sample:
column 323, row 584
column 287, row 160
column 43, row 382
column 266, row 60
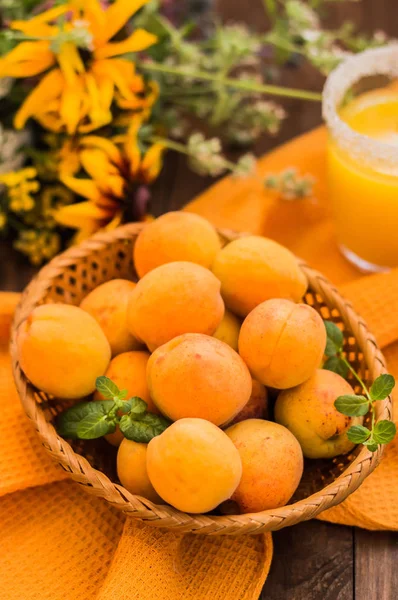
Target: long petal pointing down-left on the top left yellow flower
column 49, row 88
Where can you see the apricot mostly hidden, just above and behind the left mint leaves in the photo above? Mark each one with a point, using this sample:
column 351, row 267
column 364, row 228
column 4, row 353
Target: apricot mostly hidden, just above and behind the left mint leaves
column 128, row 371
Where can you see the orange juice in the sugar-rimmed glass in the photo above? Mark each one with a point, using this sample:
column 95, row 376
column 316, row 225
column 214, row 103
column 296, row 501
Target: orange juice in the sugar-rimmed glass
column 364, row 196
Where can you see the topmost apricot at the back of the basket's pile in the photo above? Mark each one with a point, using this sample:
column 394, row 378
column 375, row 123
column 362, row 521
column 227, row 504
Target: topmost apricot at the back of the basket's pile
column 175, row 236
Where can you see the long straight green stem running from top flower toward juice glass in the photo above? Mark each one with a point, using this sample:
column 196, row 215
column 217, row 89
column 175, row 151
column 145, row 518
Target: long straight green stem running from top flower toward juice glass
column 239, row 84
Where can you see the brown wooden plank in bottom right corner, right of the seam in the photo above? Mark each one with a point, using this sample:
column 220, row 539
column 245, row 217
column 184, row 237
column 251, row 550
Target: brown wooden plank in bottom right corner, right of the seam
column 376, row 565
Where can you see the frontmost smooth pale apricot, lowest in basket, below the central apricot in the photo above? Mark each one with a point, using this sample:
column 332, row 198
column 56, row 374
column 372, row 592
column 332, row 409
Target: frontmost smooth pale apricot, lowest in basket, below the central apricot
column 193, row 465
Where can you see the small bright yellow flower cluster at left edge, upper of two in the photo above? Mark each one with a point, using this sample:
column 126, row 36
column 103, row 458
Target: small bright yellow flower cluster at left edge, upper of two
column 21, row 185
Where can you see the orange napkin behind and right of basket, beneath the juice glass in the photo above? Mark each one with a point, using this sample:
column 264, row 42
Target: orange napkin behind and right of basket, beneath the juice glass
column 306, row 227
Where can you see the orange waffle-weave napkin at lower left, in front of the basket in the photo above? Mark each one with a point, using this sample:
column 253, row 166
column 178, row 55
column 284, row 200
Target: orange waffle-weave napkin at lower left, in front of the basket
column 59, row 543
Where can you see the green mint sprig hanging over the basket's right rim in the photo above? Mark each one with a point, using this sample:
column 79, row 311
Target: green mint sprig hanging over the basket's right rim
column 357, row 405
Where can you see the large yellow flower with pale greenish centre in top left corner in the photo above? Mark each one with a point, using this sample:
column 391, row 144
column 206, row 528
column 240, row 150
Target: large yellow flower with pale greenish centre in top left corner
column 86, row 69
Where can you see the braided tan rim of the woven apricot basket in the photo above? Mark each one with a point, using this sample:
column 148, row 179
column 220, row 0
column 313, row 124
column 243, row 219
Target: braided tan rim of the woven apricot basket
column 99, row 484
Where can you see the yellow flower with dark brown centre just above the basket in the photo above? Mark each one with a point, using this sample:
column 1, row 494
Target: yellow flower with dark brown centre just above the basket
column 115, row 168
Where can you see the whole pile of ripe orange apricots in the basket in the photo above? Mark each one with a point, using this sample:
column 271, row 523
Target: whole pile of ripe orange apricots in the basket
column 201, row 337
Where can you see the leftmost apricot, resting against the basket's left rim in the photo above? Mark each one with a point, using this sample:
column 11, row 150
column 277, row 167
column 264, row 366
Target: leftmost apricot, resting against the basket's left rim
column 62, row 350
